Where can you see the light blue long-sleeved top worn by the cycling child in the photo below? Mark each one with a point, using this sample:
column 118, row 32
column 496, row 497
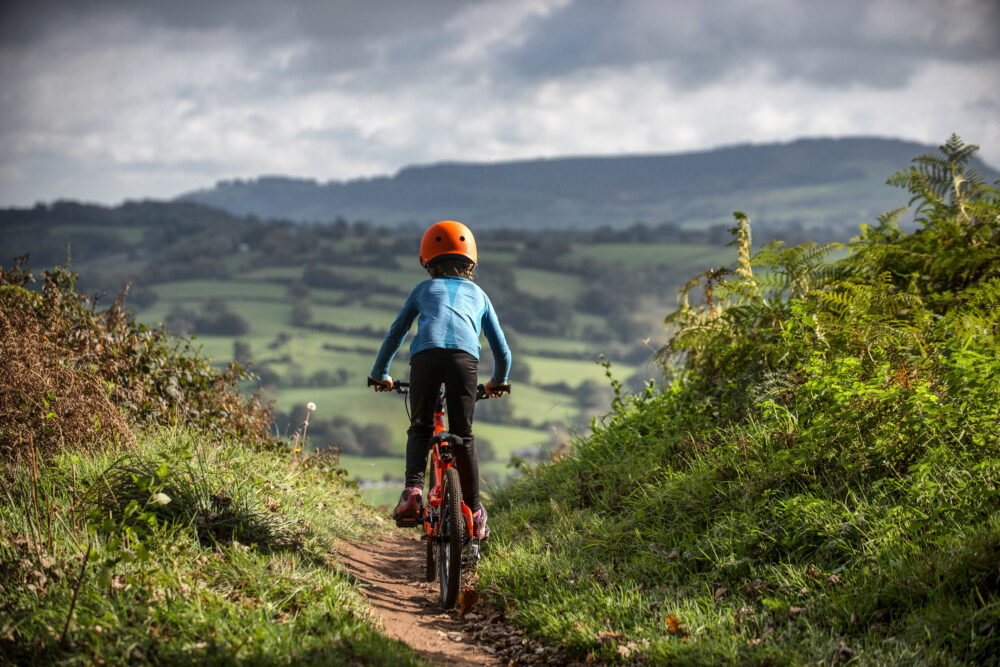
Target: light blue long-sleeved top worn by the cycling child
column 452, row 313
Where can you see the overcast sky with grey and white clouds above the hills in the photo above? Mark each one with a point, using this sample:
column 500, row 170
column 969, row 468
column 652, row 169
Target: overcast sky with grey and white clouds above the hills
column 105, row 100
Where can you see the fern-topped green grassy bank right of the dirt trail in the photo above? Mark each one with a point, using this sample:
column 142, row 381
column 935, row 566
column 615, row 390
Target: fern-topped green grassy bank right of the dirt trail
column 820, row 482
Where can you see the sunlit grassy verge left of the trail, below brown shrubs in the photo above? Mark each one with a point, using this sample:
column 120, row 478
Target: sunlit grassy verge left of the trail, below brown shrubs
column 238, row 563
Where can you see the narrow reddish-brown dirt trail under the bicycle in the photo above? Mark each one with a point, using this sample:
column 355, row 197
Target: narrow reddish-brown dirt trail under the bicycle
column 392, row 575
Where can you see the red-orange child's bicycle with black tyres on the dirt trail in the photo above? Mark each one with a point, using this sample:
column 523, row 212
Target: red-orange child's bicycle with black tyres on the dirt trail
column 447, row 520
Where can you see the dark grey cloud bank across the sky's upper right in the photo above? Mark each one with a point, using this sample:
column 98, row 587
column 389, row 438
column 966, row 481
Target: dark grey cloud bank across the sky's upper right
column 831, row 43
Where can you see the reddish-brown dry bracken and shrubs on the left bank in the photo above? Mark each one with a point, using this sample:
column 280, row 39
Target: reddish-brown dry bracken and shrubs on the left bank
column 75, row 376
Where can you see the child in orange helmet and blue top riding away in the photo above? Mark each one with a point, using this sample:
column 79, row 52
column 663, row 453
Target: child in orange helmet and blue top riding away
column 451, row 312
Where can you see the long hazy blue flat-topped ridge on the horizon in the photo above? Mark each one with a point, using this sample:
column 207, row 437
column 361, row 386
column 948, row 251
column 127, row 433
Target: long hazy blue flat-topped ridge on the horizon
column 806, row 183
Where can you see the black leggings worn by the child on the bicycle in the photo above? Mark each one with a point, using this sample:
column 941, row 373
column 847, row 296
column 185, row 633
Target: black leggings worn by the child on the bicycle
column 458, row 371
